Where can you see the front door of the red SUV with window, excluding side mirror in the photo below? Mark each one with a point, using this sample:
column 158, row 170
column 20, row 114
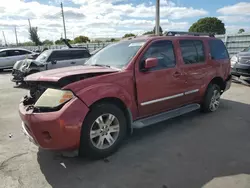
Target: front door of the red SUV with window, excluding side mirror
column 161, row 88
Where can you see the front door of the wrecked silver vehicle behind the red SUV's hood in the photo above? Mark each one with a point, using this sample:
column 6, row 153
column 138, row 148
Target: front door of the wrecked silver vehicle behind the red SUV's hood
column 58, row 59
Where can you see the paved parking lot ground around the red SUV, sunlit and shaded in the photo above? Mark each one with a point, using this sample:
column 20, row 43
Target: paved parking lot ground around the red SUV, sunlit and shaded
column 186, row 152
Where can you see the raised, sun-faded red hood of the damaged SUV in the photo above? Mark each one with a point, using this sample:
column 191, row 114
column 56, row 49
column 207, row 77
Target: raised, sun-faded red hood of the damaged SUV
column 57, row 74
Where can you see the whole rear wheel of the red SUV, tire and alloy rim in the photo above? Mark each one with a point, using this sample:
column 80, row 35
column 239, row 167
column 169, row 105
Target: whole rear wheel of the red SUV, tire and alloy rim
column 212, row 98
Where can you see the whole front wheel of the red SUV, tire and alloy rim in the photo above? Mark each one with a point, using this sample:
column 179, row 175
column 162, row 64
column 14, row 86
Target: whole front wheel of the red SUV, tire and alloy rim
column 93, row 147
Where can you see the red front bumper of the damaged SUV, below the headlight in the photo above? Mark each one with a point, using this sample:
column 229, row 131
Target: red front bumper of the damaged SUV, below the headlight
column 59, row 130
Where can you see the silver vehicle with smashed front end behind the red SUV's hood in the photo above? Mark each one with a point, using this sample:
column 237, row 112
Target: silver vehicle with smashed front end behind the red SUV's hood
column 49, row 59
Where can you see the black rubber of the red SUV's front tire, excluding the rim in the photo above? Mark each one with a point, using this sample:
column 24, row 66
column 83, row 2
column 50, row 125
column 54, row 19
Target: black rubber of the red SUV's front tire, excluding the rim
column 87, row 148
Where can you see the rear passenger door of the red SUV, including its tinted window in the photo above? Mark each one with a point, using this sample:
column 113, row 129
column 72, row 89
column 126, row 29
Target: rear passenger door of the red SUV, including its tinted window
column 194, row 67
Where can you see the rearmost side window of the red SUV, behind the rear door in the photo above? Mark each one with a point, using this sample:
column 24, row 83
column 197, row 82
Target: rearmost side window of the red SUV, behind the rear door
column 218, row 50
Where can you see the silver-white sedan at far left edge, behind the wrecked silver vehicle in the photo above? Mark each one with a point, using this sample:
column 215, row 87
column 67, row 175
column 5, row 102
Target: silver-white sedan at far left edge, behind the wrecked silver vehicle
column 9, row 56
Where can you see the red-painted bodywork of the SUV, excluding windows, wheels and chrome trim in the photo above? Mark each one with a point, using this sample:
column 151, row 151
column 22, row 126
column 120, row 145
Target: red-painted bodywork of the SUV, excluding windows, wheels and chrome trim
column 130, row 85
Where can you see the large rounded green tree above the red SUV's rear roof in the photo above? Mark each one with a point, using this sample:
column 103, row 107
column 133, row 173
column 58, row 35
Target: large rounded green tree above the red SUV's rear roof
column 208, row 25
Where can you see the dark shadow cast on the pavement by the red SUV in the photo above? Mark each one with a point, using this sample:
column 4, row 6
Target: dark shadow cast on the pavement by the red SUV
column 184, row 152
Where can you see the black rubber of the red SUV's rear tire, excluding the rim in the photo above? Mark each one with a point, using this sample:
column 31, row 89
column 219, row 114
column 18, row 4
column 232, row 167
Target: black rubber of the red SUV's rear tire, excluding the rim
column 205, row 106
